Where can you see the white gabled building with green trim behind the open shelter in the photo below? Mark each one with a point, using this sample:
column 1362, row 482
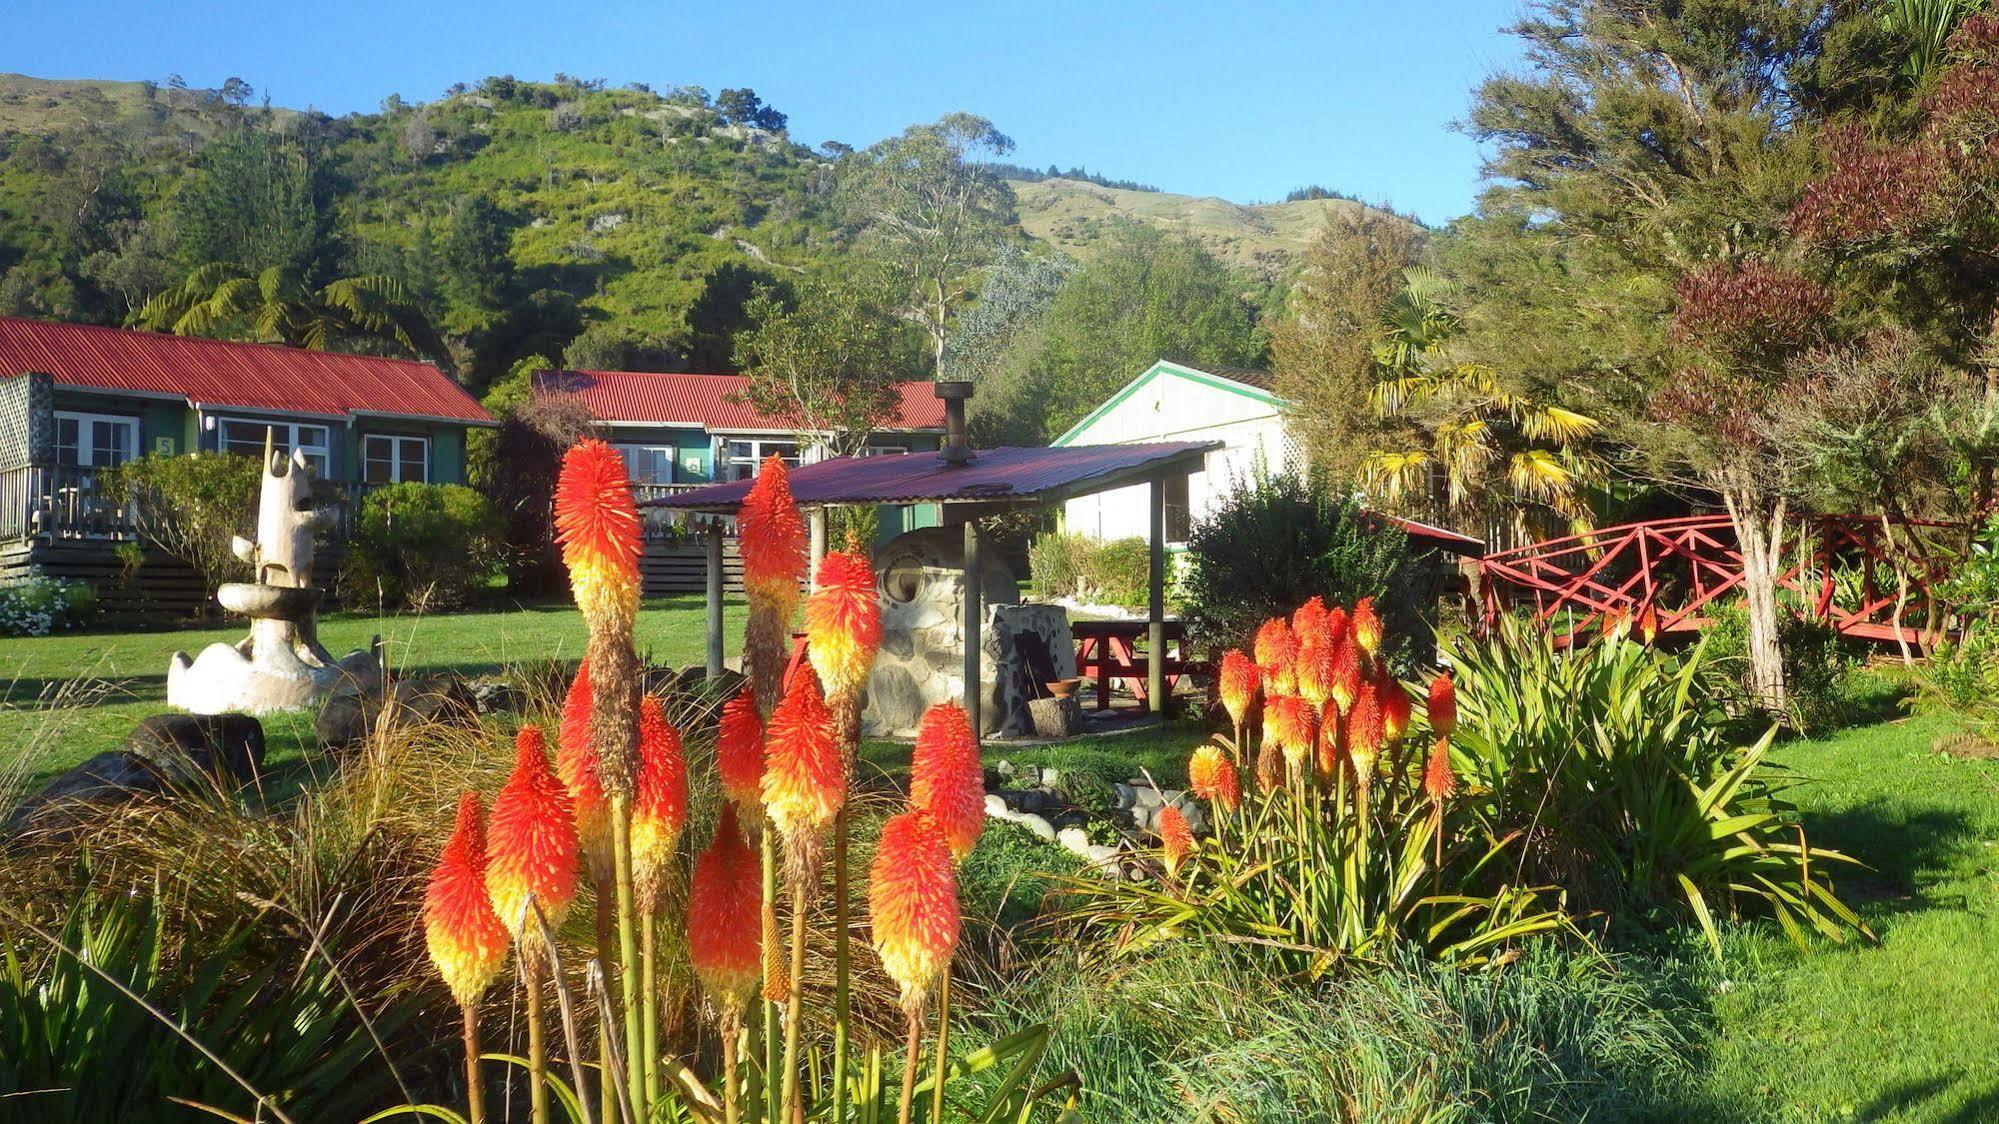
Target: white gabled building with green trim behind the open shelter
column 1172, row 403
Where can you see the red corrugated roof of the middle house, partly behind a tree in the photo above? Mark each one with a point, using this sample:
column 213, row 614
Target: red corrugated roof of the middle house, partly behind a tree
column 703, row 399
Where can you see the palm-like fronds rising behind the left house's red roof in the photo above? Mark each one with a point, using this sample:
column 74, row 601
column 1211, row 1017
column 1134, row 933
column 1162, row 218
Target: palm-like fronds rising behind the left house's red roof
column 279, row 307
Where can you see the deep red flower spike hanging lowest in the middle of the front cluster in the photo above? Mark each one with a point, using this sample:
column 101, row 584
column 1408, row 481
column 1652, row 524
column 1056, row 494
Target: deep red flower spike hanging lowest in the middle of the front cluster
column 725, row 935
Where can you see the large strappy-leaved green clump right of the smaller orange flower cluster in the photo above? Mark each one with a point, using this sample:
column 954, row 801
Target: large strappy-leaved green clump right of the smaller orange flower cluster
column 1616, row 761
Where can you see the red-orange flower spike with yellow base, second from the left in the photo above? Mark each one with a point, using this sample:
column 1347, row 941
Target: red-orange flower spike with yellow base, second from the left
column 533, row 845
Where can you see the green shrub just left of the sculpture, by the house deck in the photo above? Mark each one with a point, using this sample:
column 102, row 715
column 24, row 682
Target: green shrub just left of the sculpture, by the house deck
column 191, row 507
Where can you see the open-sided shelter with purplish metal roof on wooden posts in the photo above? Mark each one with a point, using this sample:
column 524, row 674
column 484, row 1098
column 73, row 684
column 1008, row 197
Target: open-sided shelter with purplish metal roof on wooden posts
column 969, row 485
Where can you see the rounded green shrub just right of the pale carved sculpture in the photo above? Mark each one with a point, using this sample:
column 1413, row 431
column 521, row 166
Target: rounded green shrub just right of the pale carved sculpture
column 421, row 547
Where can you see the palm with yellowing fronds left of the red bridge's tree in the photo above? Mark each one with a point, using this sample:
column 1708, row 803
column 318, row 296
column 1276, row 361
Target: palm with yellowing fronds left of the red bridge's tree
column 1456, row 441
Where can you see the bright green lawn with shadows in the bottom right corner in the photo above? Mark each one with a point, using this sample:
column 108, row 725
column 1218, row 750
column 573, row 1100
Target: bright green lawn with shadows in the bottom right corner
column 1906, row 1029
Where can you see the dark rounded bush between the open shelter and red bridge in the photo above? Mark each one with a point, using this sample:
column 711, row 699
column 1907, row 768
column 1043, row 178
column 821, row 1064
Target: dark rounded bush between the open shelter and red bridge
column 1274, row 543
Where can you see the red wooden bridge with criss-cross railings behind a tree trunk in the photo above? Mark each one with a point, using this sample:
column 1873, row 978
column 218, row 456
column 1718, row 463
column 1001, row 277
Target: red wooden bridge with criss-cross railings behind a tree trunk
column 1844, row 571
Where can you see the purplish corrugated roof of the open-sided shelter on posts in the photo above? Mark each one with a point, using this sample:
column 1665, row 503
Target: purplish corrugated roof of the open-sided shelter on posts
column 997, row 475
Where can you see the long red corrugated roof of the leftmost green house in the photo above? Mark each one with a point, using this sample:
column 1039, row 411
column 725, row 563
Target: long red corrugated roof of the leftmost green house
column 215, row 373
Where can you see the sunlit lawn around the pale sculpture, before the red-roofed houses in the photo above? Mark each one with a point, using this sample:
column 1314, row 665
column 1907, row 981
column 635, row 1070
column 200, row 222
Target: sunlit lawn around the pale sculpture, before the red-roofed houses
column 65, row 699
